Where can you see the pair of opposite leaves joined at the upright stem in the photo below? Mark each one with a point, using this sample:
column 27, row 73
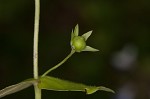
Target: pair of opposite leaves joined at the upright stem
column 52, row 83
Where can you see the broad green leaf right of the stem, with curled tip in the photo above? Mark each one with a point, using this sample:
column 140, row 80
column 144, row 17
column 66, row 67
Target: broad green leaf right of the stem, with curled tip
column 55, row 84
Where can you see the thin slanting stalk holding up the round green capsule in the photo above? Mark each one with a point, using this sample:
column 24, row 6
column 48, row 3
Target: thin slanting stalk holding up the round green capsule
column 59, row 64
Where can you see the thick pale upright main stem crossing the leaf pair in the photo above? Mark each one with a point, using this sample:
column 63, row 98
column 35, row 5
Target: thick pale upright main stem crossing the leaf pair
column 35, row 48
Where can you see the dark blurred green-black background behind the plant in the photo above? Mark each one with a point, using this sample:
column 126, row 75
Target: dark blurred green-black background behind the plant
column 121, row 31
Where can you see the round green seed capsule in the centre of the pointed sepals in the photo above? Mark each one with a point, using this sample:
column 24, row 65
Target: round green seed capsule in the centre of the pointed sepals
column 78, row 43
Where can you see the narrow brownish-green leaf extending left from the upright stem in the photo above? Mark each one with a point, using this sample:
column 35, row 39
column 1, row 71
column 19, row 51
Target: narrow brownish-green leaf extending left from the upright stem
column 17, row 87
